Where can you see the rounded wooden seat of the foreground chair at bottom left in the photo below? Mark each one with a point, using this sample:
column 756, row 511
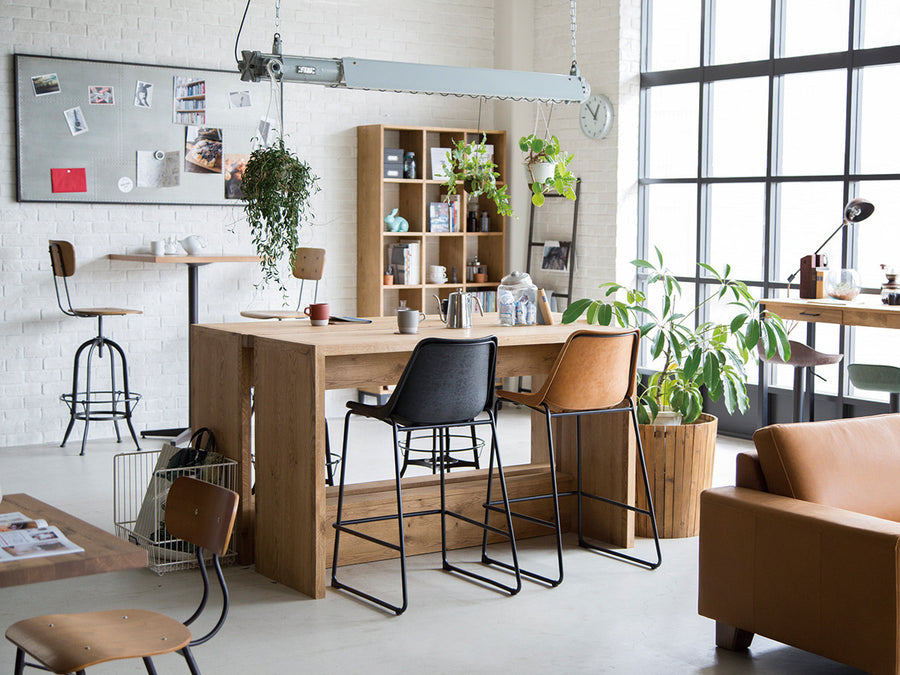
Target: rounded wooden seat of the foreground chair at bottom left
column 67, row 643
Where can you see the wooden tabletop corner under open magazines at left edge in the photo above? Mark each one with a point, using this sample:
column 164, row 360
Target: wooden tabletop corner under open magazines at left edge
column 103, row 552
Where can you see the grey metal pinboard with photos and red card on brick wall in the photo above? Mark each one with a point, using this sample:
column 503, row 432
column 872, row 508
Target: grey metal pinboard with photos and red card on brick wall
column 99, row 131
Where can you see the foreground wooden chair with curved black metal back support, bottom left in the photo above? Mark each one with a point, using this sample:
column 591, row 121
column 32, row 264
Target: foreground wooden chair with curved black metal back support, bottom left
column 199, row 513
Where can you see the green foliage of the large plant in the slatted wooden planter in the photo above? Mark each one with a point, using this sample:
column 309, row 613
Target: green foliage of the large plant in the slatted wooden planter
column 710, row 354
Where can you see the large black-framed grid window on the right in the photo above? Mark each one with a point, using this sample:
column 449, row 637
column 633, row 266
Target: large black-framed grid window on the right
column 759, row 121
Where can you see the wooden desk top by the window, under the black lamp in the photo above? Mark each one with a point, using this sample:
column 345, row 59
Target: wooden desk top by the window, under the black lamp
column 865, row 310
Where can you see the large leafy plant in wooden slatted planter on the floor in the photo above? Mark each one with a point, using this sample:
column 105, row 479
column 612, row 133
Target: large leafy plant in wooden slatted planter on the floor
column 711, row 355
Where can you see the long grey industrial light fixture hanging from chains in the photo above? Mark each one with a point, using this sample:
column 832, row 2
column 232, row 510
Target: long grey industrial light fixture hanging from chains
column 417, row 78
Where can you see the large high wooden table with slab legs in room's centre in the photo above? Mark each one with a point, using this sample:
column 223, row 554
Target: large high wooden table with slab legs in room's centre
column 290, row 365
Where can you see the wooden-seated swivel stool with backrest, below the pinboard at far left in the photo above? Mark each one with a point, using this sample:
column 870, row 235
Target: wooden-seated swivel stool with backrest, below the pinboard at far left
column 89, row 404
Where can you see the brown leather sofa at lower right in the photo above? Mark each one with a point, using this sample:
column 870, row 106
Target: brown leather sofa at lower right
column 805, row 549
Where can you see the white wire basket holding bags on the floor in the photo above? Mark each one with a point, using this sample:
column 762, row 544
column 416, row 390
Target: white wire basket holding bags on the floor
column 139, row 493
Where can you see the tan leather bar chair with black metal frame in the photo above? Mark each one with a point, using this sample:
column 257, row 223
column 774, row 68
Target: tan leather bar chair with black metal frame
column 594, row 373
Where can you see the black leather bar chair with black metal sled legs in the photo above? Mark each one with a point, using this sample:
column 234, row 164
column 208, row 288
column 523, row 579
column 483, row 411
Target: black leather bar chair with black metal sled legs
column 446, row 384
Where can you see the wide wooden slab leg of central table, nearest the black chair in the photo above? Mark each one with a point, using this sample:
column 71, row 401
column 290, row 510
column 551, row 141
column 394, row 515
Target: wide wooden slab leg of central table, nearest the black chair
column 290, row 465
